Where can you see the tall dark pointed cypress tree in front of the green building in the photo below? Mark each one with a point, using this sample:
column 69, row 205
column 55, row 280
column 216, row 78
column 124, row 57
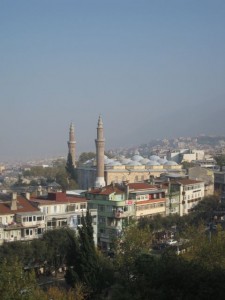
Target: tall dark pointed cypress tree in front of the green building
column 87, row 266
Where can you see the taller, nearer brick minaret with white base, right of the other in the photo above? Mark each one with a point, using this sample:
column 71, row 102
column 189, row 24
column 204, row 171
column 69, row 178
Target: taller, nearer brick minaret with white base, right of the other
column 100, row 147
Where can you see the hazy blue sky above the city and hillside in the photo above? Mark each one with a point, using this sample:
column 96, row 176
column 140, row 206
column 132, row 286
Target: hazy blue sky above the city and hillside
column 151, row 68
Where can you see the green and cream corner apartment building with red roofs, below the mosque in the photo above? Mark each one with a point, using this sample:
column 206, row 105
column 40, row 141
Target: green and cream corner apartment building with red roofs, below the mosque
column 118, row 204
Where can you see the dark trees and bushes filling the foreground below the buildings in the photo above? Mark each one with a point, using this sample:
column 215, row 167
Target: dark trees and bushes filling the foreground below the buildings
column 134, row 272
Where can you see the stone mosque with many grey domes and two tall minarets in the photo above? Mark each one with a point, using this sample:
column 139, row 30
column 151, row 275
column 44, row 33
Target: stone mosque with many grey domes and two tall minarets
column 103, row 171
